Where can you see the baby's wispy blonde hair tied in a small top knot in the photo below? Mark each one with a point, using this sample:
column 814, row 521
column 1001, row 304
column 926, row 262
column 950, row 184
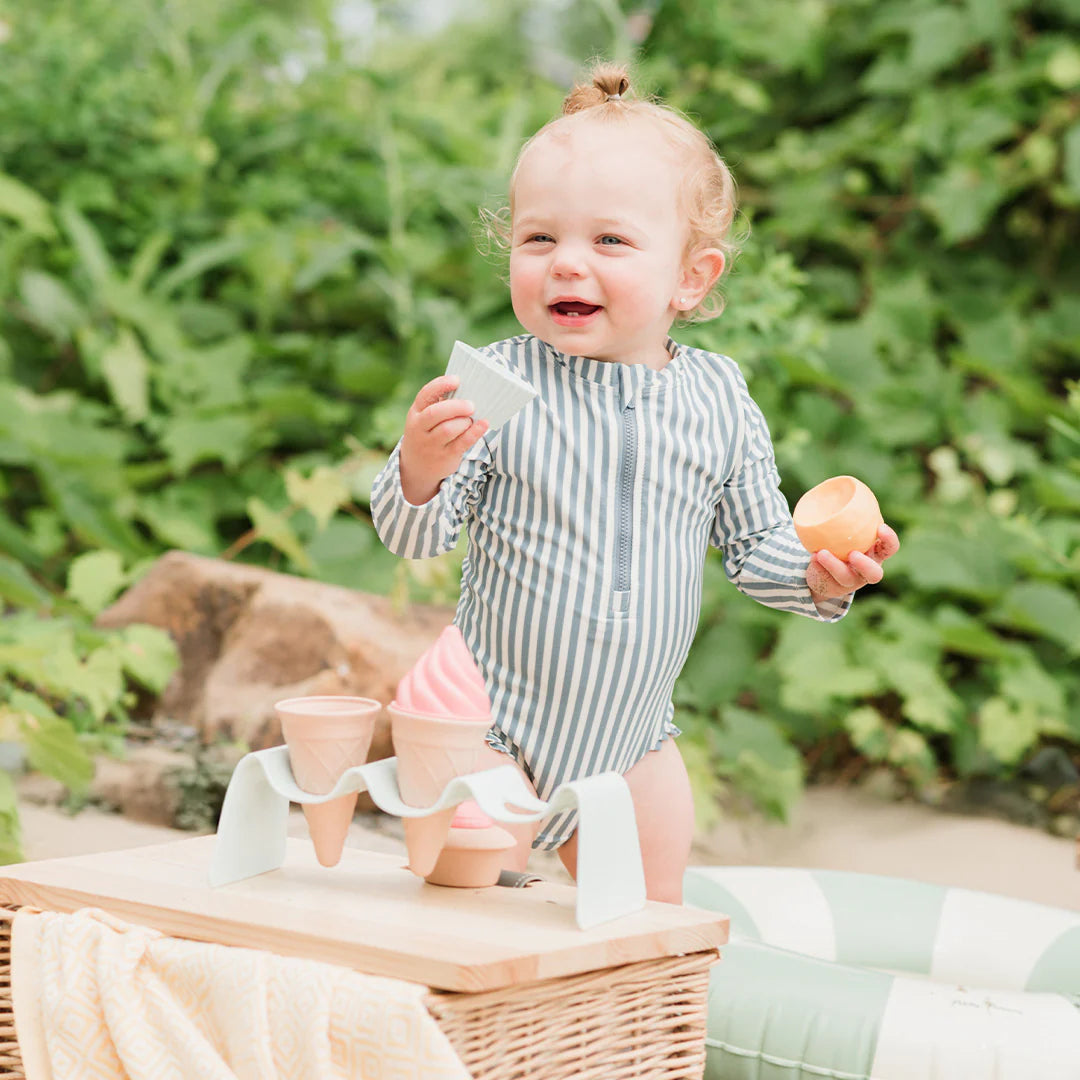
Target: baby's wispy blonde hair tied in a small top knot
column 708, row 190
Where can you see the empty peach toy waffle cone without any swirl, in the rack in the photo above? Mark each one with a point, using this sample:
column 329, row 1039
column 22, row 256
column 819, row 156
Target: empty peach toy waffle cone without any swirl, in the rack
column 326, row 737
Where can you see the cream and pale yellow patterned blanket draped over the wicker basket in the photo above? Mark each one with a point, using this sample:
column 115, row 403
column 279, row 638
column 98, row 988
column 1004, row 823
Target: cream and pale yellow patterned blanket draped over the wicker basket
column 101, row 1000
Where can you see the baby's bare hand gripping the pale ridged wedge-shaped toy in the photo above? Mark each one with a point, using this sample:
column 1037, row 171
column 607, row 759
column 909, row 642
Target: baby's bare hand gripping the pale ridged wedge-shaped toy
column 438, row 433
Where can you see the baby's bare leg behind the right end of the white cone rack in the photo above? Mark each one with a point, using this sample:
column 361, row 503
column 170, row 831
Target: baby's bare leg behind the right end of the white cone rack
column 664, row 809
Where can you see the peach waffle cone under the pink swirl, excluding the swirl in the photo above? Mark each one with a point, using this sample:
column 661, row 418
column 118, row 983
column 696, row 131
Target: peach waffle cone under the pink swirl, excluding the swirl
column 431, row 752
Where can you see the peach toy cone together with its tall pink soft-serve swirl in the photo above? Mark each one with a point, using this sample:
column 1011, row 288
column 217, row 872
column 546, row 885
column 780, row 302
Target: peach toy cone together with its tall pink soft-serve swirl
column 439, row 719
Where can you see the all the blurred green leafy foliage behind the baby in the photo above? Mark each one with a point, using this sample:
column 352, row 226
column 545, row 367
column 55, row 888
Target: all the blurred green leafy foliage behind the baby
column 236, row 237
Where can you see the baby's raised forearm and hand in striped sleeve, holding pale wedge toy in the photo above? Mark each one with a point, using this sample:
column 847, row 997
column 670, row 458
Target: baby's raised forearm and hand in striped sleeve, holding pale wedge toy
column 436, row 475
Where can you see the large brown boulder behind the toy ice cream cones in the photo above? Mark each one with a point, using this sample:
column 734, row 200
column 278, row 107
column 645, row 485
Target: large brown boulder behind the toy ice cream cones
column 249, row 638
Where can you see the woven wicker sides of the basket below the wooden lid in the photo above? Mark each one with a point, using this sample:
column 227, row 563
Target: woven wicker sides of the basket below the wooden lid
column 643, row 1021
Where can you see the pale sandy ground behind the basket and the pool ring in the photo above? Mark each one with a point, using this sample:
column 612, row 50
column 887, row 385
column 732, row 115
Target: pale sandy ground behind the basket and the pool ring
column 832, row 830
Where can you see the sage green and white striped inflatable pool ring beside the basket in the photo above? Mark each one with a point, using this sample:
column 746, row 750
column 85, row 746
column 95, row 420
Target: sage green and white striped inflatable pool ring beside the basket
column 833, row 976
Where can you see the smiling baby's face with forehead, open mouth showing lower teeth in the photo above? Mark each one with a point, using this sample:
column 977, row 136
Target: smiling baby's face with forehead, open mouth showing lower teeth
column 598, row 242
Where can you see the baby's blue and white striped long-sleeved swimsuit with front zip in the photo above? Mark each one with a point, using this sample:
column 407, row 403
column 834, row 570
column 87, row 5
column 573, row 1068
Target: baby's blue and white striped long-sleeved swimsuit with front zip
column 589, row 516
